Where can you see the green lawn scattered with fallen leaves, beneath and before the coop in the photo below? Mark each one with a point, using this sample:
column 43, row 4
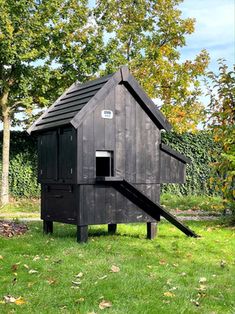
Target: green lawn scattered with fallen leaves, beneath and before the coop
column 171, row 274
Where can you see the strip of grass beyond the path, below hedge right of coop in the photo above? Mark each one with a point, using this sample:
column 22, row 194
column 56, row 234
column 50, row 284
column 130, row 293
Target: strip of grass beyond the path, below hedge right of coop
column 192, row 202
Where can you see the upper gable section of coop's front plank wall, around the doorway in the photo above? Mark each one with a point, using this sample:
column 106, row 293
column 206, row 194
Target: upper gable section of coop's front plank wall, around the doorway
column 131, row 135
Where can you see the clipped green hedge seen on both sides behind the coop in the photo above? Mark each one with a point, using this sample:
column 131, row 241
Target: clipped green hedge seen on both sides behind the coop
column 23, row 163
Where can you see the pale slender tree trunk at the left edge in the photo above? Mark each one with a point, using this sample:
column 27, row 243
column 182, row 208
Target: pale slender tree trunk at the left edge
column 5, row 150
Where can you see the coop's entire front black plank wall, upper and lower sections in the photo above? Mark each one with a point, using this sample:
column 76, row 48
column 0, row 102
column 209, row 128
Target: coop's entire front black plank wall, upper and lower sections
column 134, row 140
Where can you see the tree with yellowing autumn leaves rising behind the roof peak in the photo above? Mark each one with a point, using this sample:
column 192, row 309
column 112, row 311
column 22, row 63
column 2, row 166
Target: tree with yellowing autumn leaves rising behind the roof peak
column 147, row 35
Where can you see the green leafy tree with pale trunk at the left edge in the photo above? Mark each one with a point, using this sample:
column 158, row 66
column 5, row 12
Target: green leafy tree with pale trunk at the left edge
column 44, row 46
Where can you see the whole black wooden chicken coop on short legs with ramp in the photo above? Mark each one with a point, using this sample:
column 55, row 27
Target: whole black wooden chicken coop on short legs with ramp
column 101, row 160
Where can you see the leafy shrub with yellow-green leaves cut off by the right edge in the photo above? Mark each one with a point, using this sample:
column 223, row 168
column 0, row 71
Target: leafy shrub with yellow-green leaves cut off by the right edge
column 221, row 119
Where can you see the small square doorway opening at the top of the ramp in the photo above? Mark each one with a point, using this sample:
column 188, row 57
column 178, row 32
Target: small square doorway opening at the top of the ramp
column 104, row 164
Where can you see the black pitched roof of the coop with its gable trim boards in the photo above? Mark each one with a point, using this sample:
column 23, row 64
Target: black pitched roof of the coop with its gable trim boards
column 66, row 110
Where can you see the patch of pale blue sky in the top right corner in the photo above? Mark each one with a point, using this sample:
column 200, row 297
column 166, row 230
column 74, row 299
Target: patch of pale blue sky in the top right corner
column 214, row 30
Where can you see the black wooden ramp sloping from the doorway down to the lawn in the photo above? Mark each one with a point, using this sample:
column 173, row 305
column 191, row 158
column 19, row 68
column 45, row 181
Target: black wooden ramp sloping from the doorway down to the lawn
column 142, row 201
